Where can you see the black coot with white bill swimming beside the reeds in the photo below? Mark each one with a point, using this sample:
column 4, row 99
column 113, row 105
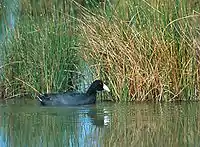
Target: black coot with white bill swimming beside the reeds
column 73, row 98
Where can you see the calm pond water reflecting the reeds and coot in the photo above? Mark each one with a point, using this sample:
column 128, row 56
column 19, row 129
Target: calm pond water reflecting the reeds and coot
column 104, row 124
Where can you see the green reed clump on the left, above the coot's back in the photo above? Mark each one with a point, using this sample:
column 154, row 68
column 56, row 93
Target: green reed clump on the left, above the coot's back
column 41, row 56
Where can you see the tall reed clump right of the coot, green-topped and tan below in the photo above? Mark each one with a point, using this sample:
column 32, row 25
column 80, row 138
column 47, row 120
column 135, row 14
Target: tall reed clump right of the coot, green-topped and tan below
column 145, row 49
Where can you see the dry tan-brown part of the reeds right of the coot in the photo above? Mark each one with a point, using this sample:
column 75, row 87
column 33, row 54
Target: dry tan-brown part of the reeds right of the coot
column 138, row 65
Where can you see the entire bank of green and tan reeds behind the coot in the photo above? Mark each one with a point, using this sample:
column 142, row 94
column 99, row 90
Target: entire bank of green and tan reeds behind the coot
column 145, row 50
